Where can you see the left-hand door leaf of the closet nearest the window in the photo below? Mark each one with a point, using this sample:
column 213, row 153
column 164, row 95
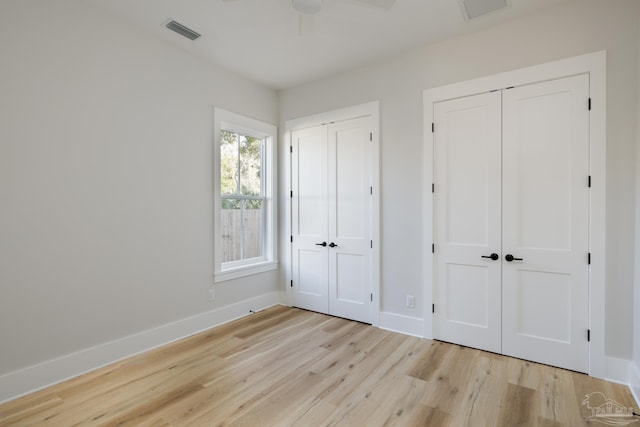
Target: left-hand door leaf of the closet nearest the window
column 309, row 221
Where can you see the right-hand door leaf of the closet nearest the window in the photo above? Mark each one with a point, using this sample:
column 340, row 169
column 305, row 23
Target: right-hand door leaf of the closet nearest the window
column 349, row 181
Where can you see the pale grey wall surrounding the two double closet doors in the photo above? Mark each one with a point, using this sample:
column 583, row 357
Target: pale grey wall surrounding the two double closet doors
column 569, row 30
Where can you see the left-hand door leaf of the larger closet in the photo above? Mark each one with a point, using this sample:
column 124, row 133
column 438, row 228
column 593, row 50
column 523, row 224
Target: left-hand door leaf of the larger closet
column 468, row 216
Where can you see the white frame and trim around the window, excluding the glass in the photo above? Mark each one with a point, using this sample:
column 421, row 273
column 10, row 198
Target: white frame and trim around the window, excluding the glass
column 226, row 120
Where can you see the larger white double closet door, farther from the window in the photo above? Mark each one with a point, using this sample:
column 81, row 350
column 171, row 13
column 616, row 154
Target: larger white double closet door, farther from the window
column 512, row 222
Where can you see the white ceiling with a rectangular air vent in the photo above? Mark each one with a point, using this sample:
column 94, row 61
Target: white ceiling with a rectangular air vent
column 262, row 40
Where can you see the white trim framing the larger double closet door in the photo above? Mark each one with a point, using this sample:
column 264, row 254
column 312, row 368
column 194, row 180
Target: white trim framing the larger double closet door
column 594, row 65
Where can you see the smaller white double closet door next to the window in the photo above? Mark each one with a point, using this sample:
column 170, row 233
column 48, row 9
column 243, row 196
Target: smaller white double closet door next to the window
column 331, row 214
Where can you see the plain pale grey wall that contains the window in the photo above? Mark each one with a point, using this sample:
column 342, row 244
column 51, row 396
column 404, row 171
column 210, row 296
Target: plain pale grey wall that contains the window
column 106, row 205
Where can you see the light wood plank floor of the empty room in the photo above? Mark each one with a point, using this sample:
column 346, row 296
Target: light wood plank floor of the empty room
column 290, row 367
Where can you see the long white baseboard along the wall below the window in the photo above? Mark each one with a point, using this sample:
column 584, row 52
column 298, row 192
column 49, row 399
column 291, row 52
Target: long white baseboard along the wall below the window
column 36, row 377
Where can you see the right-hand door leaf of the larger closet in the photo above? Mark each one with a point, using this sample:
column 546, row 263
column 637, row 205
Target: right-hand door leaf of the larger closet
column 546, row 222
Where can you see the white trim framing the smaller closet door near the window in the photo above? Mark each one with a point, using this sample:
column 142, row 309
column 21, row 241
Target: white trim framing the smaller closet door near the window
column 362, row 110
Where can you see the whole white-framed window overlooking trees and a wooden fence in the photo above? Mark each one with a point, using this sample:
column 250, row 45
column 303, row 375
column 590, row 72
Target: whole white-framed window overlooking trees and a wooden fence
column 244, row 196
